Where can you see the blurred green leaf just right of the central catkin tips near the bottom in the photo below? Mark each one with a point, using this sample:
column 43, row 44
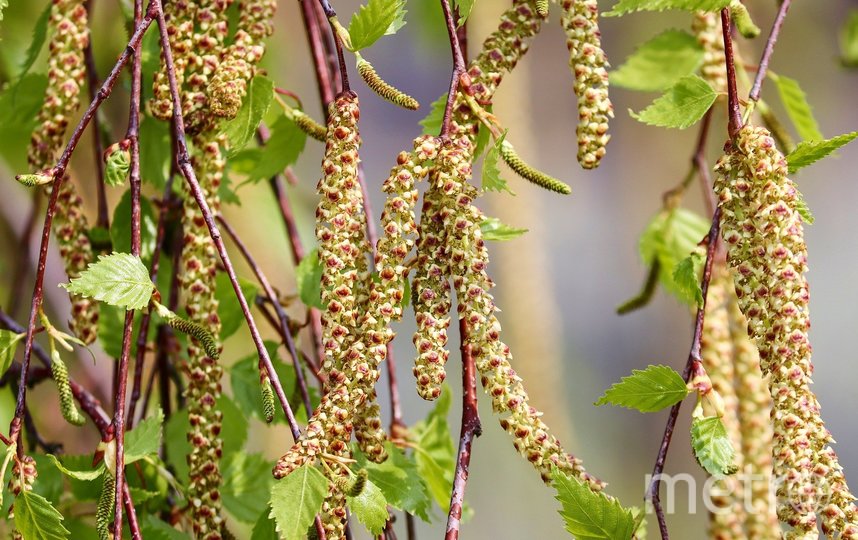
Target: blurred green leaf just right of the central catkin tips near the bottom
column 400, row 481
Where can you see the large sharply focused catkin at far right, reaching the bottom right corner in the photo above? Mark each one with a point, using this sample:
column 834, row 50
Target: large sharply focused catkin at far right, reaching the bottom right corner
column 763, row 232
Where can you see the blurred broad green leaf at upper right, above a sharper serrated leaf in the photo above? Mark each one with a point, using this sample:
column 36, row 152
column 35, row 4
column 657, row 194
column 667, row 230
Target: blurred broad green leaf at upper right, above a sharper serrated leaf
column 660, row 62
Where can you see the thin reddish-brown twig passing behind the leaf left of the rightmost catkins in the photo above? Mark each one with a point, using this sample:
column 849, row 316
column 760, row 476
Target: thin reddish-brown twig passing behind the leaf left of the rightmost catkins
column 693, row 355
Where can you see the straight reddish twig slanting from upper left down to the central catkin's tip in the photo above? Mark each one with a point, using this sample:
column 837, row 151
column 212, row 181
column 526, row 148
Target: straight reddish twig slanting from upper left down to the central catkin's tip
column 183, row 161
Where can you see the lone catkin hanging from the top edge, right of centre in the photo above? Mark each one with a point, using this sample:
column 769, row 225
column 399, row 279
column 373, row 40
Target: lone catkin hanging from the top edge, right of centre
column 580, row 20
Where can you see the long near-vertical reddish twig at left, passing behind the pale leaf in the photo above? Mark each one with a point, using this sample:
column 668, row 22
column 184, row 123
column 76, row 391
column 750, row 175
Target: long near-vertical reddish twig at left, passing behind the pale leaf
column 132, row 136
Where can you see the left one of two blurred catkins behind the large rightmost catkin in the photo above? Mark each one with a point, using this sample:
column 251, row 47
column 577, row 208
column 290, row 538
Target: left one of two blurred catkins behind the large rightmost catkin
column 727, row 519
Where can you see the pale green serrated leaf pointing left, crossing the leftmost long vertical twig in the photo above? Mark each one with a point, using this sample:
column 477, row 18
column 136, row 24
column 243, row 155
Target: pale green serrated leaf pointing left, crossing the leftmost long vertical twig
column 120, row 279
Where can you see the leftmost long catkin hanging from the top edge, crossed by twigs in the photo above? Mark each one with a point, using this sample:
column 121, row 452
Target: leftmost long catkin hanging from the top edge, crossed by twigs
column 66, row 71
